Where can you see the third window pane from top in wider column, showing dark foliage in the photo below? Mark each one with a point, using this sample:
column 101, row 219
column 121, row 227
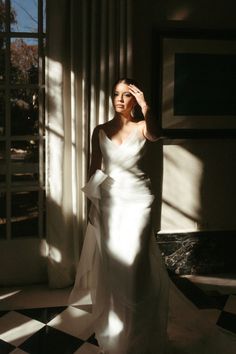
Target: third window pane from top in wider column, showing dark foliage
column 24, row 112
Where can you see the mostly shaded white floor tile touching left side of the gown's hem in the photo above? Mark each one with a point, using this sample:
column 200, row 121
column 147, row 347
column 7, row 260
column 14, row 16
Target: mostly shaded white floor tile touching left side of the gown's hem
column 74, row 321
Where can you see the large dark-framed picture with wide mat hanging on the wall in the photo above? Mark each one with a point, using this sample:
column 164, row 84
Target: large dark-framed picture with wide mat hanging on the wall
column 198, row 83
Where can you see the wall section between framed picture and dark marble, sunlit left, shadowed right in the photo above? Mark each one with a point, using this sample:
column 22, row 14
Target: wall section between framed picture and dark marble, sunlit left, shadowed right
column 198, row 185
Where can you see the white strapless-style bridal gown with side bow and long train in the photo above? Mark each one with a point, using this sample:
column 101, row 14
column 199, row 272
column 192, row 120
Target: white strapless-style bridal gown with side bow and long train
column 136, row 308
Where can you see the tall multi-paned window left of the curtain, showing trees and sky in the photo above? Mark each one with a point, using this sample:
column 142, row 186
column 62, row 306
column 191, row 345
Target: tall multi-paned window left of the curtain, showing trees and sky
column 22, row 91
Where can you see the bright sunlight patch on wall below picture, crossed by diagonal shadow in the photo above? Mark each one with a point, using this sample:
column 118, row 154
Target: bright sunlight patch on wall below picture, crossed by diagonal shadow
column 181, row 200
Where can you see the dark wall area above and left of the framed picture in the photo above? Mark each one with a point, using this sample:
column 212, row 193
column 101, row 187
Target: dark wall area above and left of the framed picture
column 152, row 15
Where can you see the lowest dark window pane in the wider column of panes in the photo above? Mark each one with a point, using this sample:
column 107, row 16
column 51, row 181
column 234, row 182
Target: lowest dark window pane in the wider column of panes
column 24, row 220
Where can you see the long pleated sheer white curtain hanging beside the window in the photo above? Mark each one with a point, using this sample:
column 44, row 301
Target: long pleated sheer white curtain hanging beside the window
column 89, row 46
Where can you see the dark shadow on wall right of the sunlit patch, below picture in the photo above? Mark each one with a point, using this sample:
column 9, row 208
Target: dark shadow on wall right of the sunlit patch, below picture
column 217, row 188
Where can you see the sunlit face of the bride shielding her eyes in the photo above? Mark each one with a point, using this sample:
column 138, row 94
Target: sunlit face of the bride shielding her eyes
column 123, row 100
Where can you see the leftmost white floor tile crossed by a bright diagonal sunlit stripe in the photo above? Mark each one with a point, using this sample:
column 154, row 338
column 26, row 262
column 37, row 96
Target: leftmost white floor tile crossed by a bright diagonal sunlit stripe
column 15, row 328
